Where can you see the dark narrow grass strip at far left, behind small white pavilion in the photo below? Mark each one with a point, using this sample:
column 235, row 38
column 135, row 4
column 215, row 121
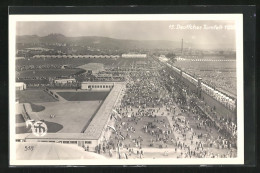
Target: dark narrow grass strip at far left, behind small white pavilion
column 48, row 73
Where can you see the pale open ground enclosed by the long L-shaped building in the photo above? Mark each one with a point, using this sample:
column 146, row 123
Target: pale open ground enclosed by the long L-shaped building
column 70, row 117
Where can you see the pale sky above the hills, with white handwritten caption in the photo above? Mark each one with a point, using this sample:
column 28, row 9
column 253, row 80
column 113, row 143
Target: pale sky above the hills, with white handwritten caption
column 214, row 35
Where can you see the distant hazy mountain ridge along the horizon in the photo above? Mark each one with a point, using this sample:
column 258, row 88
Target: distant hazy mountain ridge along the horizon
column 100, row 42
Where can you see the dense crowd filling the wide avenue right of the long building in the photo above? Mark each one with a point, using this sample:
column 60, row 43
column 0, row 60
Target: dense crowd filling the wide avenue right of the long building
column 154, row 115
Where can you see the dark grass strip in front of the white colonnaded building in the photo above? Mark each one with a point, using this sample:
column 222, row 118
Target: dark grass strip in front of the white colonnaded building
column 83, row 96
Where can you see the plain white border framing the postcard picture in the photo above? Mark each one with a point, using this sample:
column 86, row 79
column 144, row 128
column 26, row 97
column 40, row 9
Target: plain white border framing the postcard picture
column 238, row 18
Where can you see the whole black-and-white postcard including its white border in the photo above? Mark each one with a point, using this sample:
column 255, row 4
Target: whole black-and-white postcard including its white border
column 126, row 89
